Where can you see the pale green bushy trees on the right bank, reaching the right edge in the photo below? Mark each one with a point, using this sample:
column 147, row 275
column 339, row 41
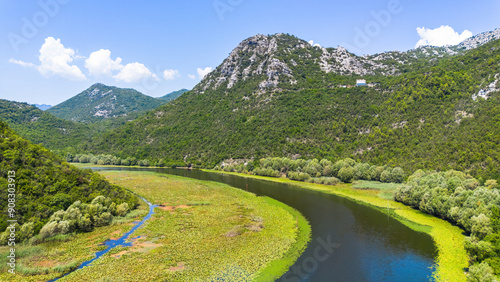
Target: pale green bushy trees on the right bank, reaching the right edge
column 460, row 199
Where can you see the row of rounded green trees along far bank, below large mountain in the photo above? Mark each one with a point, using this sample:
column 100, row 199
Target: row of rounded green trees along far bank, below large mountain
column 314, row 170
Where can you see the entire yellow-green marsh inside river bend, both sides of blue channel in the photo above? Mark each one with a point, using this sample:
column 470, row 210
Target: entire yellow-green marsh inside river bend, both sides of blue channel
column 147, row 261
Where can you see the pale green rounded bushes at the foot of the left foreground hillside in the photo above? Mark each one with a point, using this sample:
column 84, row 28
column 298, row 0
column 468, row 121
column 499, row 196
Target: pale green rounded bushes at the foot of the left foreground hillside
column 79, row 217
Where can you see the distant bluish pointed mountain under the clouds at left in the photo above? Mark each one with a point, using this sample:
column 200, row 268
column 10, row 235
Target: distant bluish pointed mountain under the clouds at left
column 101, row 102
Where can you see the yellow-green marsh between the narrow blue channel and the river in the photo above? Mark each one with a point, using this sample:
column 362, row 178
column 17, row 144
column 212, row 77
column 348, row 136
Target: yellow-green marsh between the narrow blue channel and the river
column 212, row 235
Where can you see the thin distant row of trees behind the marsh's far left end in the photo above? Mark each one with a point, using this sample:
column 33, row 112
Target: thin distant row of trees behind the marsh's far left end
column 103, row 159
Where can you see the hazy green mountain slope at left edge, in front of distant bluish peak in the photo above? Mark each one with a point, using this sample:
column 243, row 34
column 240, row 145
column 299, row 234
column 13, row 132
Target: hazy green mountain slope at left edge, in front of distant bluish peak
column 41, row 127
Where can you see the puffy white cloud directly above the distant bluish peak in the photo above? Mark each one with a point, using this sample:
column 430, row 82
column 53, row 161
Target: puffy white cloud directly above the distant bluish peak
column 100, row 63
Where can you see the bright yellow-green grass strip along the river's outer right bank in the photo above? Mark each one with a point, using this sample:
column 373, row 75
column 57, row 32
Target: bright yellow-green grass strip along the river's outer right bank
column 452, row 257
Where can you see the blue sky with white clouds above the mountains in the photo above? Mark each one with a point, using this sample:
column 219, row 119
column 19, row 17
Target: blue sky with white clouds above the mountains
column 51, row 50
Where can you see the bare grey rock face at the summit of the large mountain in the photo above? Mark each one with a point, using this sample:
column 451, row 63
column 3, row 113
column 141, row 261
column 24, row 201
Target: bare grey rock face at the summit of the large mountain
column 272, row 60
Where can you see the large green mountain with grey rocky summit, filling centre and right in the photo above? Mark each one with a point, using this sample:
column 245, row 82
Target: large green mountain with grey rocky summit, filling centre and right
column 279, row 96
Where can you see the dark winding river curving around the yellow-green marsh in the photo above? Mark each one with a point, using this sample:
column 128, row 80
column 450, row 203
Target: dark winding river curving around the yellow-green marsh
column 350, row 242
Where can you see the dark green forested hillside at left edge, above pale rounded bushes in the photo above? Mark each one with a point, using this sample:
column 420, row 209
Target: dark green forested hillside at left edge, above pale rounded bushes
column 45, row 184
